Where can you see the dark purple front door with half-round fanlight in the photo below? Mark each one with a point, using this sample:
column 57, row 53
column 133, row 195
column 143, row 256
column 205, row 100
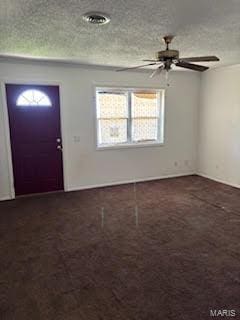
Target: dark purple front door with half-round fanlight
column 35, row 131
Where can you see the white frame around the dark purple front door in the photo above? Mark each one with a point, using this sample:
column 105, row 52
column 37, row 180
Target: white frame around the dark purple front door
column 8, row 144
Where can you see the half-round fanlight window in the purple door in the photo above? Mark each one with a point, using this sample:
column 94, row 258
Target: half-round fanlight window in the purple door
column 33, row 98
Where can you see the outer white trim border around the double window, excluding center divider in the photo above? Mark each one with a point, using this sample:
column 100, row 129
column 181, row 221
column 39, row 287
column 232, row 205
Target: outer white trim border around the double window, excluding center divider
column 127, row 145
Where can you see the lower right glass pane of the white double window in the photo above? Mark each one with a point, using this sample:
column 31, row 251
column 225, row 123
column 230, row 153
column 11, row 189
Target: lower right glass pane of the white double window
column 144, row 129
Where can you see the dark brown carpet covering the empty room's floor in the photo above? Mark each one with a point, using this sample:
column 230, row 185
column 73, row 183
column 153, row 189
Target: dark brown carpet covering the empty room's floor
column 93, row 254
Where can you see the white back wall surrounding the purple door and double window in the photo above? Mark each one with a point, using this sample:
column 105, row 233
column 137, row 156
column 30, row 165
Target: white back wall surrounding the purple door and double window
column 84, row 165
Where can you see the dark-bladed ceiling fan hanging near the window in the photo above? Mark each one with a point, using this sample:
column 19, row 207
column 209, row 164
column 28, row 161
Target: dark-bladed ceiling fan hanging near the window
column 167, row 58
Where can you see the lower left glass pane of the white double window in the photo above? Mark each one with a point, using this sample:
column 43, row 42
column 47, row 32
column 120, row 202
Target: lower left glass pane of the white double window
column 112, row 131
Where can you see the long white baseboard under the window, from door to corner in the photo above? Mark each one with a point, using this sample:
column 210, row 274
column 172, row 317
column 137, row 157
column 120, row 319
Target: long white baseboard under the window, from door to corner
column 109, row 184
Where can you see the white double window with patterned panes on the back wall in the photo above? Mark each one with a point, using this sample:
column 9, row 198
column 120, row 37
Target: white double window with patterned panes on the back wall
column 129, row 117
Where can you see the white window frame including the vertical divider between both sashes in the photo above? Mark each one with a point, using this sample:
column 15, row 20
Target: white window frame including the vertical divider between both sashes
column 130, row 143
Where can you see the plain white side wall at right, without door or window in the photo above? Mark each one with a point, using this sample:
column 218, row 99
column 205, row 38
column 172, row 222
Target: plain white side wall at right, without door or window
column 219, row 130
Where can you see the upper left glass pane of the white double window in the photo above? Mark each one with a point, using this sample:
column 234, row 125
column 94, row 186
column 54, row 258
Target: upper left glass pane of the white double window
column 112, row 105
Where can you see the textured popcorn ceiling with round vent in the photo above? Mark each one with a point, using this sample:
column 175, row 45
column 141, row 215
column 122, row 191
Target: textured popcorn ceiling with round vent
column 55, row 29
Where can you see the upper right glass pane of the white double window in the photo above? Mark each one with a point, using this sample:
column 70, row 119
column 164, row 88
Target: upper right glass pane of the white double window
column 145, row 104
